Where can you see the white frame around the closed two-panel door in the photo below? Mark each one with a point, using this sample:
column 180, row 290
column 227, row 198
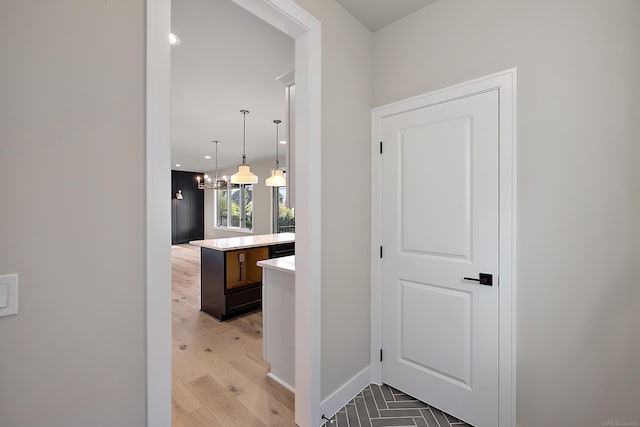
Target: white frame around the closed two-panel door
column 505, row 82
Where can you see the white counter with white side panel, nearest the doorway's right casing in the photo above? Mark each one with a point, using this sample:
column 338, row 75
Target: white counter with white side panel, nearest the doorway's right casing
column 278, row 318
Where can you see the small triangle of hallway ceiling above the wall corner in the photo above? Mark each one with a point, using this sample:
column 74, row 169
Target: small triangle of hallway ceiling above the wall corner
column 375, row 14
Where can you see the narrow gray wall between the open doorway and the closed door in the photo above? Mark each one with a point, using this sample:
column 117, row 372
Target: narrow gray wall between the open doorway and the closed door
column 346, row 204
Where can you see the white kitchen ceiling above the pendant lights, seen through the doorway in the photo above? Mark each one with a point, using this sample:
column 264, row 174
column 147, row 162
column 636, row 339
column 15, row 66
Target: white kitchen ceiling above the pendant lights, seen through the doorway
column 227, row 60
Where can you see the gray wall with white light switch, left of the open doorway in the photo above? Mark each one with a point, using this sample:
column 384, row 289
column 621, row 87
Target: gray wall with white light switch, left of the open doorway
column 72, row 212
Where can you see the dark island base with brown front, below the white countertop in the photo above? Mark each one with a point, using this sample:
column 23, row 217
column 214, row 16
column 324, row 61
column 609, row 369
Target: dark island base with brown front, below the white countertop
column 231, row 282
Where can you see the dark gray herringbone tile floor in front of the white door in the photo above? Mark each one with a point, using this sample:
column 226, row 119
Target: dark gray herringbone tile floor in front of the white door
column 378, row 406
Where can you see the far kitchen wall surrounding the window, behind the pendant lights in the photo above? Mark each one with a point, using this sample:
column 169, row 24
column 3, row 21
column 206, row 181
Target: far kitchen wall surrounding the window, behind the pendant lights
column 261, row 203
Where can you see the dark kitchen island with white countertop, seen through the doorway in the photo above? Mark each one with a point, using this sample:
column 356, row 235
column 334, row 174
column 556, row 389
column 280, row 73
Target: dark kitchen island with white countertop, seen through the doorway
column 231, row 280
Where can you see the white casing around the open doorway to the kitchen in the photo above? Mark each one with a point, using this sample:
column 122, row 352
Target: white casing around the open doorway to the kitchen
column 288, row 17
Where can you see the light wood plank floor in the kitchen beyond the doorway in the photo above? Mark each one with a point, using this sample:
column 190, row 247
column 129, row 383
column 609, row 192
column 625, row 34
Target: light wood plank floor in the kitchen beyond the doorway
column 219, row 376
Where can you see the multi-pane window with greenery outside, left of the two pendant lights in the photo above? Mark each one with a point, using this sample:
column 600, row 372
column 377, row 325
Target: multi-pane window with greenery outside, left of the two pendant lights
column 234, row 206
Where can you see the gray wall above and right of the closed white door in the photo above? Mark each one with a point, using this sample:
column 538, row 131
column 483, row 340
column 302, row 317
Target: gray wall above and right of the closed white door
column 577, row 309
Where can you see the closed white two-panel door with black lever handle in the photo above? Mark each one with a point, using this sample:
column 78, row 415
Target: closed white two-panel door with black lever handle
column 440, row 226
